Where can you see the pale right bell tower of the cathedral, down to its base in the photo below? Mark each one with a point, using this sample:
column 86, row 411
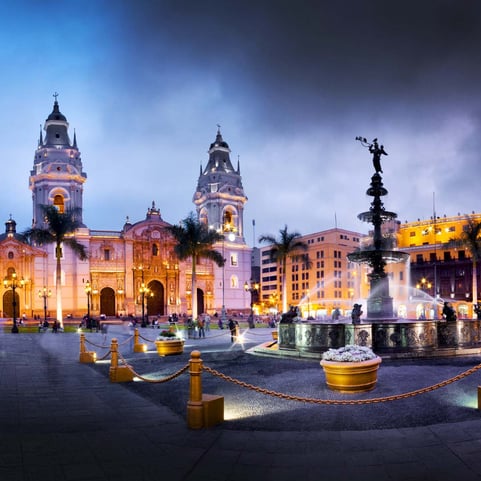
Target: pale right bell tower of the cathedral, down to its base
column 220, row 200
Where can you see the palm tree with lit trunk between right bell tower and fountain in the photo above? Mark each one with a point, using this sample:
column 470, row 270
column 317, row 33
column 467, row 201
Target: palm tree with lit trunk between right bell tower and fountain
column 286, row 246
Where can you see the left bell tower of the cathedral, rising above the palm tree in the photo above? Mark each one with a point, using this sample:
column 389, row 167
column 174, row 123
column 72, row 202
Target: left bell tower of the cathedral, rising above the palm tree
column 57, row 177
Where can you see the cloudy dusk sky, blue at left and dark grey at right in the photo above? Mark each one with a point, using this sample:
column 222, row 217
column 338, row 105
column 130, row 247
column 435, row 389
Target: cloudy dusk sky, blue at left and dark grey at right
column 291, row 82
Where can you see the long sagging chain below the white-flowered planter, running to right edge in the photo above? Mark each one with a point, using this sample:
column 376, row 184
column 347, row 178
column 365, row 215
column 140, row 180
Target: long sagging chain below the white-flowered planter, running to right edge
column 343, row 401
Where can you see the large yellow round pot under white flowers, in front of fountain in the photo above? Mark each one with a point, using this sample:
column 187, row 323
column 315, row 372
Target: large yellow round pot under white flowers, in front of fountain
column 350, row 377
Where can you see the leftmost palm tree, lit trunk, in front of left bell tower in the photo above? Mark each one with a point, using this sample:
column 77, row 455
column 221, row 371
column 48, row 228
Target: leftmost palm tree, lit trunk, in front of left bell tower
column 59, row 229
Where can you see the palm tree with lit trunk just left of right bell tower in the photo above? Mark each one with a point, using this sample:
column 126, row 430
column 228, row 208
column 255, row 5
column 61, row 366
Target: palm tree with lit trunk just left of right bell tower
column 195, row 240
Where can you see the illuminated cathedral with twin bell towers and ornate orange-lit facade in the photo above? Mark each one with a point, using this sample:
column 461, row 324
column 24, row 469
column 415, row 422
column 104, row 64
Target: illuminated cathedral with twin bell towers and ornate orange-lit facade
column 133, row 271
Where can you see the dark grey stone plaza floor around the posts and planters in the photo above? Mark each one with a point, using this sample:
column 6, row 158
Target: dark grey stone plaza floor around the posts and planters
column 62, row 420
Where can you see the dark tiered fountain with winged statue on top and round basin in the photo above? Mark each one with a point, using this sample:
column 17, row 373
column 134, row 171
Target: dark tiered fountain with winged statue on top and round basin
column 381, row 329
